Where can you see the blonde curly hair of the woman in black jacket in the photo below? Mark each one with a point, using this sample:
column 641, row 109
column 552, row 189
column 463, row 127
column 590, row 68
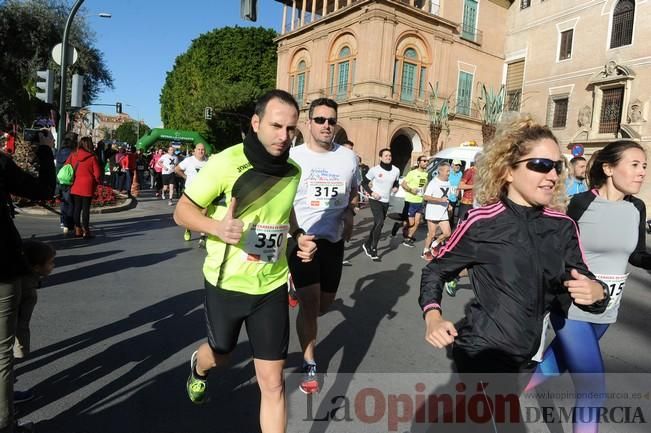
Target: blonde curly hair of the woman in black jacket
column 515, row 137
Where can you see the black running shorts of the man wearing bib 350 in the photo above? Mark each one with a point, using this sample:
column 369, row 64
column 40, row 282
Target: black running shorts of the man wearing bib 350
column 265, row 316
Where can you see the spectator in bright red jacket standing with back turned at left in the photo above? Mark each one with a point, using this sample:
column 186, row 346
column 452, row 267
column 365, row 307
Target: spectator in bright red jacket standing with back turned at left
column 87, row 177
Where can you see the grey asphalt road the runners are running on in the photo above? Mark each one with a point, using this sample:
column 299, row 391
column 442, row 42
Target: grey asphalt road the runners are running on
column 119, row 317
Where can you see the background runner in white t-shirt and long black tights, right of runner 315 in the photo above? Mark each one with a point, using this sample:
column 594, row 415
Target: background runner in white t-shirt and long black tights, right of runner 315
column 379, row 183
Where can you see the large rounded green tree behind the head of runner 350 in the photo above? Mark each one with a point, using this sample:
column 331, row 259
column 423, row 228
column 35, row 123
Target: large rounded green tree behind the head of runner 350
column 227, row 69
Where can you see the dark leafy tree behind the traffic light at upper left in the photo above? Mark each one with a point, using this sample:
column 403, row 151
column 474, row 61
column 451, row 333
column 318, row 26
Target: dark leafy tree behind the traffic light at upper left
column 29, row 29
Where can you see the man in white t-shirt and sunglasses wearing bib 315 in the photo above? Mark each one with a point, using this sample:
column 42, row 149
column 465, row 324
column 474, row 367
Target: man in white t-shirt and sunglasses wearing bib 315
column 324, row 207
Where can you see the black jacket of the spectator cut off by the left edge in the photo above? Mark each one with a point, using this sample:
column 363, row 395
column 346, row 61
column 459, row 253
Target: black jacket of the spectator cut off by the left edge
column 15, row 181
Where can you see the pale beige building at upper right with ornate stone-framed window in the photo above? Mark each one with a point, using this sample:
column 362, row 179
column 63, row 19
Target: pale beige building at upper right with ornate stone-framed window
column 584, row 68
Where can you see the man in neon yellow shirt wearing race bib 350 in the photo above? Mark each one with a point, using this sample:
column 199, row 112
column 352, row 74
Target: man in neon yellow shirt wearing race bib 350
column 249, row 192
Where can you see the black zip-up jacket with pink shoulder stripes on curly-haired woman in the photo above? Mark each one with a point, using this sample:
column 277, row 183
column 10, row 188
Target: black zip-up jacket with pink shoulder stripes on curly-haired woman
column 518, row 258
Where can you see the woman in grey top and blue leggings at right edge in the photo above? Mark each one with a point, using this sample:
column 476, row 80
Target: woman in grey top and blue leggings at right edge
column 612, row 231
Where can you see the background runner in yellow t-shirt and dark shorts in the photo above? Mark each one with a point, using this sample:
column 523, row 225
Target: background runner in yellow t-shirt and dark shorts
column 414, row 185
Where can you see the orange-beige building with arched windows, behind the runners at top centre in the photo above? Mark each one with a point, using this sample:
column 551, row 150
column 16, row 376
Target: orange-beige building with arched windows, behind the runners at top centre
column 379, row 58
